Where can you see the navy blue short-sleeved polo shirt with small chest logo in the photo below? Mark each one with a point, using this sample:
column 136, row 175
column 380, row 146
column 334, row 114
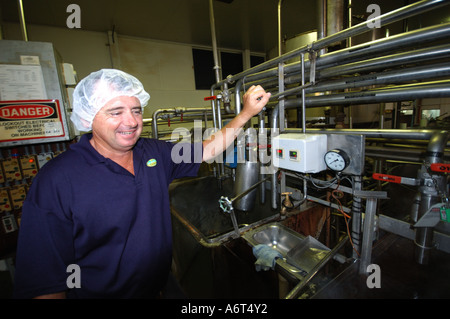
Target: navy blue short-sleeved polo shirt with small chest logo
column 84, row 209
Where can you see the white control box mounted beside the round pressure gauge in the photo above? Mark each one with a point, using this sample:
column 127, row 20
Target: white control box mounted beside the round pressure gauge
column 300, row 152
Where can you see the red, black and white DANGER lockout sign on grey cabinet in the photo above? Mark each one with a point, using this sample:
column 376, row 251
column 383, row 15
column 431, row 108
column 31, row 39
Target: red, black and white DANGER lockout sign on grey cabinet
column 20, row 120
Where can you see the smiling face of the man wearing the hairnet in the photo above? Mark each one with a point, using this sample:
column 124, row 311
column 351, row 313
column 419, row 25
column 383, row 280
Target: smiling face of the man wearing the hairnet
column 118, row 124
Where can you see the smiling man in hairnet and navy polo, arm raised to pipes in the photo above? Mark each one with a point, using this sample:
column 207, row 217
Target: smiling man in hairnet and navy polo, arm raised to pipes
column 96, row 221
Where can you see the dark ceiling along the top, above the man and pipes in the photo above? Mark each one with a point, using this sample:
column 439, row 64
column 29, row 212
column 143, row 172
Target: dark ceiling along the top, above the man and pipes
column 240, row 24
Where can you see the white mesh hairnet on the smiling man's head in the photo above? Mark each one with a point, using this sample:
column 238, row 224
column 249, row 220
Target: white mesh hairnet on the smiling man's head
column 95, row 90
